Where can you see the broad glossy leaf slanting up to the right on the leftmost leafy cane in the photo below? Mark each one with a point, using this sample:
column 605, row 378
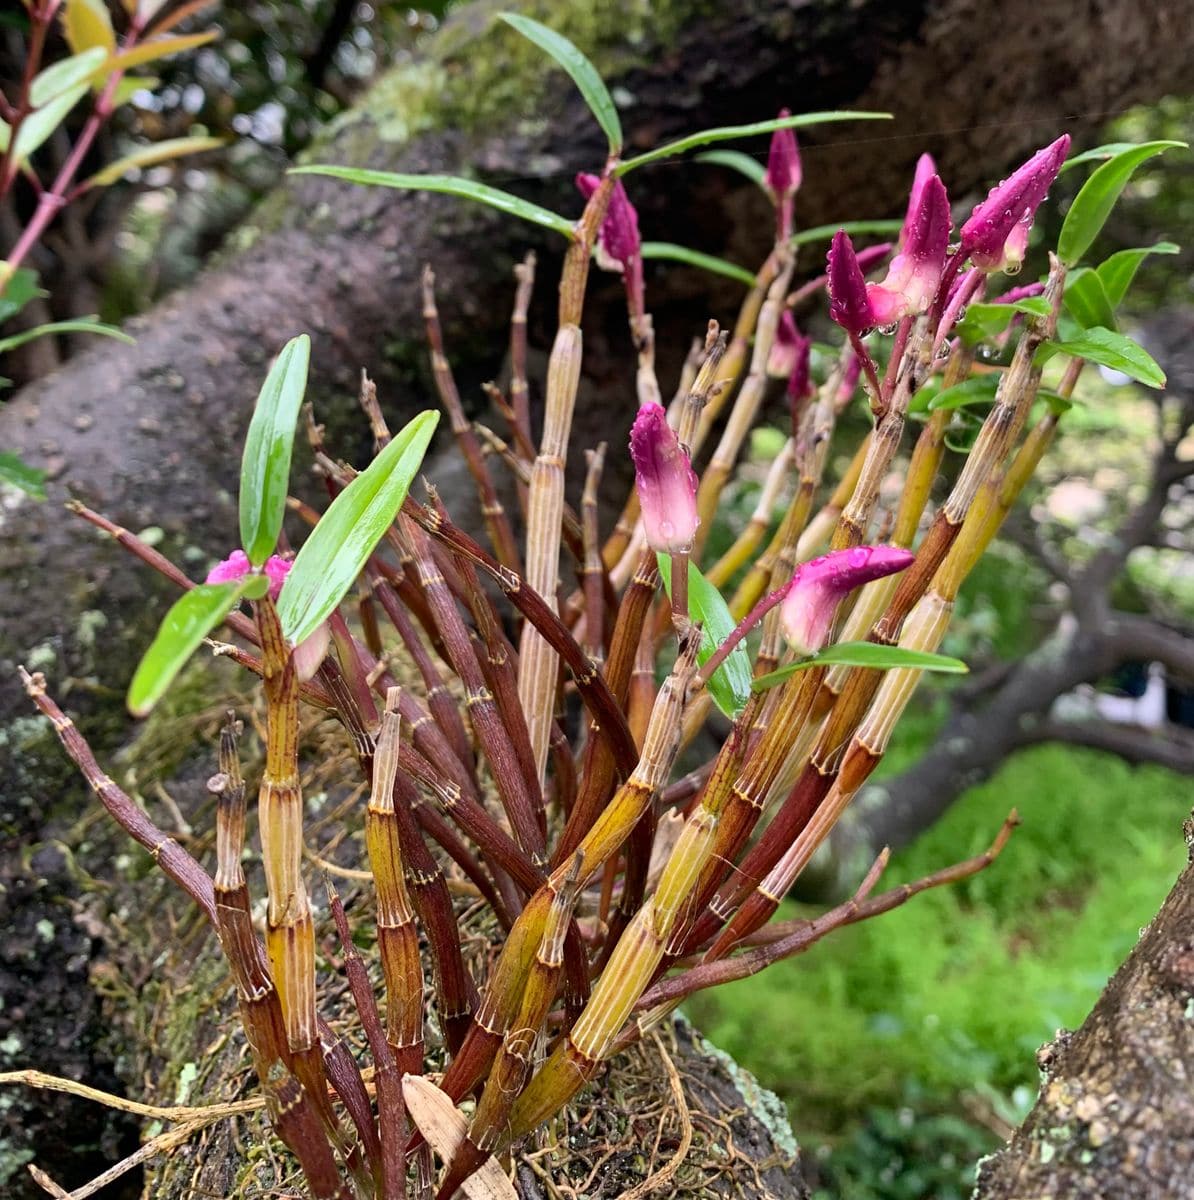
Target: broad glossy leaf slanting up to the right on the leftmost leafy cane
column 340, row 545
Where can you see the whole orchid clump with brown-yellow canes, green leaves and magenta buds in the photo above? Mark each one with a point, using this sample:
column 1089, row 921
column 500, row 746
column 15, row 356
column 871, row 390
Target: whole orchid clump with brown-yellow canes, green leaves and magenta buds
column 811, row 634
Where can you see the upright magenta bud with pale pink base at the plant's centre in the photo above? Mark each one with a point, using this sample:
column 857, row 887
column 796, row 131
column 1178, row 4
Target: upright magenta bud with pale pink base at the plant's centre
column 665, row 483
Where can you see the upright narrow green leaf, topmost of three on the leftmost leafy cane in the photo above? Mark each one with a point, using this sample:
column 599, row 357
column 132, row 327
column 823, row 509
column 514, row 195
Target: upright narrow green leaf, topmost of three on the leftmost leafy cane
column 266, row 464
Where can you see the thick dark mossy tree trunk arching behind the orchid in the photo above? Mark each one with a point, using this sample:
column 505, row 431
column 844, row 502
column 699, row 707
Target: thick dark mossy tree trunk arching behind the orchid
column 151, row 435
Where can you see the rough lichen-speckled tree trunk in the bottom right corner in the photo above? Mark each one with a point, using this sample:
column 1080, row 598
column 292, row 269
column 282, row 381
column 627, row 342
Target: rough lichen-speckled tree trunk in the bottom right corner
column 1117, row 1108
